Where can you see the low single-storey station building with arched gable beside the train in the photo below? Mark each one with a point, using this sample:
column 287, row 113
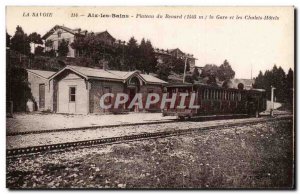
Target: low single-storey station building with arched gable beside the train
column 77, row 90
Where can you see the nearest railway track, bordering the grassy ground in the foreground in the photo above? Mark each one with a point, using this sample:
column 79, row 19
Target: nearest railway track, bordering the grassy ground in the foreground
column 112, row 140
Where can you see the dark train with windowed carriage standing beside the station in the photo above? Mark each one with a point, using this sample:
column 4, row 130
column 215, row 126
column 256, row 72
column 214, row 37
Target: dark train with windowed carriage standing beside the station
column 215, row 100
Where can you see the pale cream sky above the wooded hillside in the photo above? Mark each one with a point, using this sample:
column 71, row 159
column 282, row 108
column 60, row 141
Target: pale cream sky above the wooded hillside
column 246, row 44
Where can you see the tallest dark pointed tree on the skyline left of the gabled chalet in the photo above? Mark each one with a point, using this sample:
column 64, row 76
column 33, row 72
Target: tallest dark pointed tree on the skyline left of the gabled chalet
column 20, row 42
